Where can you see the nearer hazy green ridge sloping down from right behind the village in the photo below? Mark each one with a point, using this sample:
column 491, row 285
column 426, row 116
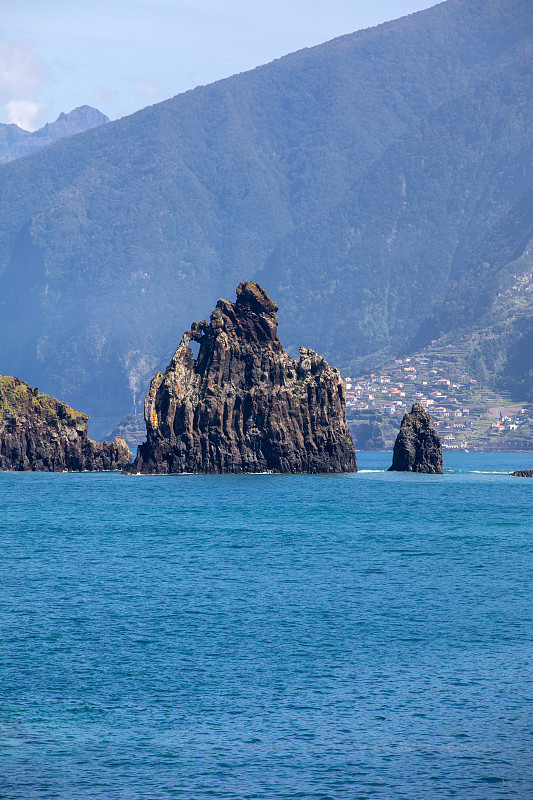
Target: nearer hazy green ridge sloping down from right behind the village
column 376, row 264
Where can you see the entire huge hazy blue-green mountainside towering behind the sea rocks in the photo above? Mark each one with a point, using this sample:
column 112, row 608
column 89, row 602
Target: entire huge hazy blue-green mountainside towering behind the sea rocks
column 358, row 179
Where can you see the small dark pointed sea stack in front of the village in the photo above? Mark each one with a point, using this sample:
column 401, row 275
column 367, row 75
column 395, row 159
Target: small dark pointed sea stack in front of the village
column 417, row 447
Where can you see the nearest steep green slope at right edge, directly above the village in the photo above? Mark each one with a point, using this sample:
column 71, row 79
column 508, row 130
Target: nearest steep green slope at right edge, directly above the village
column 488, row 306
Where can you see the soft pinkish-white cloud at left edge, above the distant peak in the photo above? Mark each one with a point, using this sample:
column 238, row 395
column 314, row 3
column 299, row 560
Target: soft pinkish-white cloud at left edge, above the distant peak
column 22, row 72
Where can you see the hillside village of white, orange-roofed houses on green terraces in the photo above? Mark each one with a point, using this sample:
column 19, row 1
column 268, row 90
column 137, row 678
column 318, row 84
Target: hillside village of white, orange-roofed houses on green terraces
column 467, row 415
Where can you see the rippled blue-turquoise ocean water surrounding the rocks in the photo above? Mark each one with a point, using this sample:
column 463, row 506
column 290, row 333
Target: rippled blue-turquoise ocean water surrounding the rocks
column 266, row 636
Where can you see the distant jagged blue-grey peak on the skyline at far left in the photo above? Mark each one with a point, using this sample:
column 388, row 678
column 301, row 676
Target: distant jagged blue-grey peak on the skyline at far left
column 15, row 142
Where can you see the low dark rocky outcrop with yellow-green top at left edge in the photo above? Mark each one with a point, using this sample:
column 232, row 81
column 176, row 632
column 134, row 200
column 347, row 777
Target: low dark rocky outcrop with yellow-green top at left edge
column 42, row 434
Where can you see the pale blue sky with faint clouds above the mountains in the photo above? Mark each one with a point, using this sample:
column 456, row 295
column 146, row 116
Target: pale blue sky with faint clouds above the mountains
column 123, row 55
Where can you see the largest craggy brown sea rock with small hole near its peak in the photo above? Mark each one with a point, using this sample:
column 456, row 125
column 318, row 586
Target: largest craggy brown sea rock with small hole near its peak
column 244, row 405
